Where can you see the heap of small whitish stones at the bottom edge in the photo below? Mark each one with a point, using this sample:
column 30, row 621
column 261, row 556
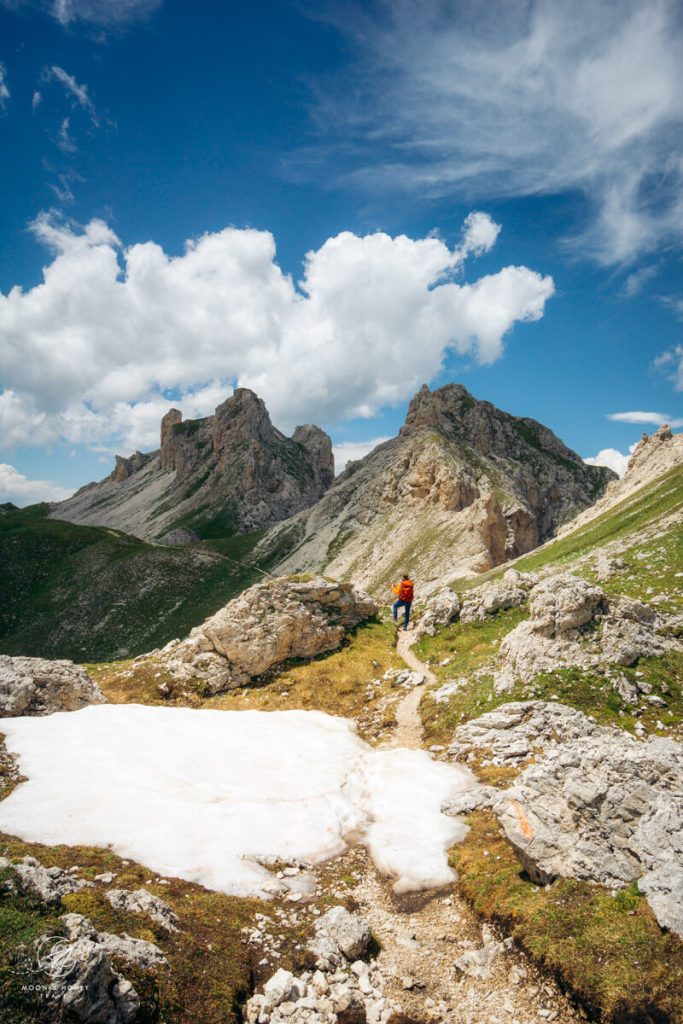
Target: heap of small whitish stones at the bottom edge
column 323, row 998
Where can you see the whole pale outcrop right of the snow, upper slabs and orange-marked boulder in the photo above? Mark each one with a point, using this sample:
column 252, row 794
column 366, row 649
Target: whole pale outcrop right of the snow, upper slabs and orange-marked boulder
column 599, row 805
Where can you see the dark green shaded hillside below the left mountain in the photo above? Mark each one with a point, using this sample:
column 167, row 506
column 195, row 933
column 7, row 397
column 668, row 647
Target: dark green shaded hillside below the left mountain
column 94, row 594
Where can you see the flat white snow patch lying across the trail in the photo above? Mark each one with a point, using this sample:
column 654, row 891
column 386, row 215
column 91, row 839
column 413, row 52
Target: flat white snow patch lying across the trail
column 206, row 795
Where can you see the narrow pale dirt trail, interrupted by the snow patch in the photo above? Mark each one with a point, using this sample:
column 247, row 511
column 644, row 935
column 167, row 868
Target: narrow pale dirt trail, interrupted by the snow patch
column 424, row 934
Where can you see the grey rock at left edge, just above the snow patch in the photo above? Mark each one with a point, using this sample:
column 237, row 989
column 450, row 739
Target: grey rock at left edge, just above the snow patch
column 38, row 687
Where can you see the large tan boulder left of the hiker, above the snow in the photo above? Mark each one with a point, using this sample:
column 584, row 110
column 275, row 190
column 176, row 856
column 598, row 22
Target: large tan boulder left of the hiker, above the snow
column 269, row 624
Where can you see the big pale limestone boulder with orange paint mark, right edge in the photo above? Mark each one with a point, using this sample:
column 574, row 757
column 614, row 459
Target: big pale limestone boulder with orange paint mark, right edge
column 604, row 808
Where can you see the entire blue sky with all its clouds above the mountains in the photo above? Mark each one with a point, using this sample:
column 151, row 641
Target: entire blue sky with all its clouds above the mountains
column 490, row 196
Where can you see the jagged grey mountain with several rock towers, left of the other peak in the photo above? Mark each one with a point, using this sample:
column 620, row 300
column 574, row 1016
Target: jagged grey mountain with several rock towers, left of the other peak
column 231, row 473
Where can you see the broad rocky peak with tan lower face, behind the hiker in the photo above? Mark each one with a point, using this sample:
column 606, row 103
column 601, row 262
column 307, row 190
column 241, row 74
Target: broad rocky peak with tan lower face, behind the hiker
column 463, row 488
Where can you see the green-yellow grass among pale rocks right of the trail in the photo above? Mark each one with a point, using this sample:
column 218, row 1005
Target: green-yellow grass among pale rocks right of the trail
column 608, row 950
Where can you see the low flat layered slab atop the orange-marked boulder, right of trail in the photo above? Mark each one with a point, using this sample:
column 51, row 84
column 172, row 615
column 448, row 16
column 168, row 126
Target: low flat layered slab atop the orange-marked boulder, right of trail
column 515, row 731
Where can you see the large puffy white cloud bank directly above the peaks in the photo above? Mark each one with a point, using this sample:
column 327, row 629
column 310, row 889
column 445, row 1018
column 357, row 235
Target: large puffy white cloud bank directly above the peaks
column 97, row 350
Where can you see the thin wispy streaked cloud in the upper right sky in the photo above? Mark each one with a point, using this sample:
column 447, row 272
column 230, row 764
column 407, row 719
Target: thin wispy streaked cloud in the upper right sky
column 551, row 97
